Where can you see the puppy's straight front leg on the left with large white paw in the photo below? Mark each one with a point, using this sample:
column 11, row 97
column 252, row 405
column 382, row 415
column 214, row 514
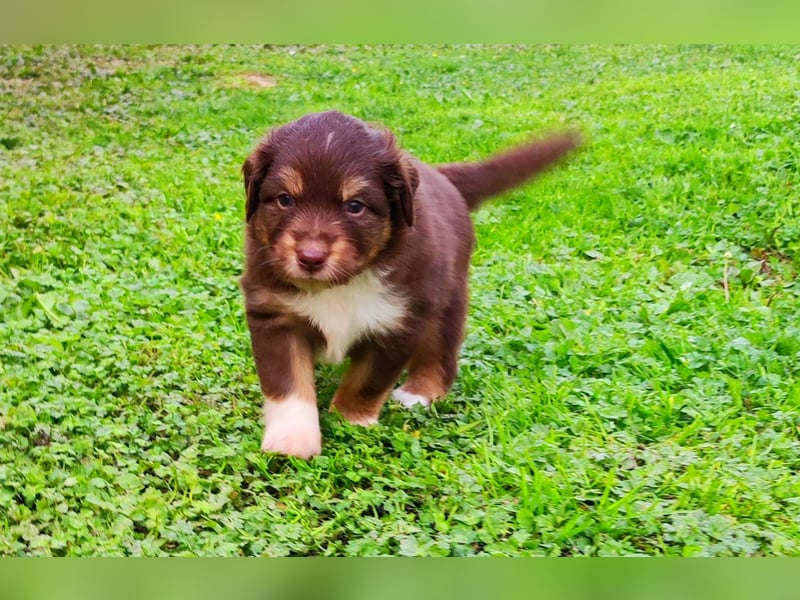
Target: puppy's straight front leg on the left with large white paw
column 285, row 365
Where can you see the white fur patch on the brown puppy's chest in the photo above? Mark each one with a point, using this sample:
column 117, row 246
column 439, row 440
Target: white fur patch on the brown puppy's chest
column 348, row 313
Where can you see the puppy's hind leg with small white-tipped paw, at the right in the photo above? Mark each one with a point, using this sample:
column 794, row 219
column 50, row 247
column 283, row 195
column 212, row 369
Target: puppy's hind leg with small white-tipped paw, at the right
column 432, row 369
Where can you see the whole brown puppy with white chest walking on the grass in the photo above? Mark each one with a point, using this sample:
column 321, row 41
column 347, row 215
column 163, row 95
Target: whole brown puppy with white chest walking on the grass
column 356, row 249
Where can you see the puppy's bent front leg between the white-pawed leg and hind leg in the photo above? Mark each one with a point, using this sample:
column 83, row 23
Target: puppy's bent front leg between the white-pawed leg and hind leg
column 373, row 372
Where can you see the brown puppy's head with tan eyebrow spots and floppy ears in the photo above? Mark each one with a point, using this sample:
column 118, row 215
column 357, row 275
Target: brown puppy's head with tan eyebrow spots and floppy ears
column 325, row 195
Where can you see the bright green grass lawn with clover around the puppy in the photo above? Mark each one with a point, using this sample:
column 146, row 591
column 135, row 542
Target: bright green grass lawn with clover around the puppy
column 629, row 381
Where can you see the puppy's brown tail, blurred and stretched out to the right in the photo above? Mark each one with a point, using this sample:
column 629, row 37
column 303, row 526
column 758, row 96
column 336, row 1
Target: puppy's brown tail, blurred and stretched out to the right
column 481, row 180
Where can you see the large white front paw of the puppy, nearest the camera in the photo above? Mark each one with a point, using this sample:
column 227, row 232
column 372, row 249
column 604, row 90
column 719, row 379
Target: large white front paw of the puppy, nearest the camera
column 292, row 428
